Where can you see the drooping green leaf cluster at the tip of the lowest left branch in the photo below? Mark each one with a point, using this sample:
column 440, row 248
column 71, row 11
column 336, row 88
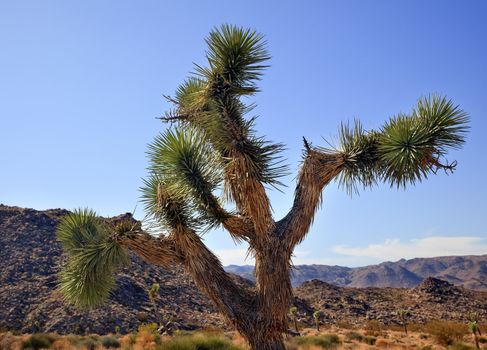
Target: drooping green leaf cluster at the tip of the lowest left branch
column 93, row 258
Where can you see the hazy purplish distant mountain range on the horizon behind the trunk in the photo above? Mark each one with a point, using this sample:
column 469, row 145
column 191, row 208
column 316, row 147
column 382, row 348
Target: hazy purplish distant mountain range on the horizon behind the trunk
column 469, row 271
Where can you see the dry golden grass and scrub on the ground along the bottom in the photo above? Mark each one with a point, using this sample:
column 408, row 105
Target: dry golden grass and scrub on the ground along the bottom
column 331, row 338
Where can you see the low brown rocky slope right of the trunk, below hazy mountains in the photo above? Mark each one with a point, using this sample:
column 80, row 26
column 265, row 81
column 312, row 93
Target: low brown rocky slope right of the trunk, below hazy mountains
column 431, row 299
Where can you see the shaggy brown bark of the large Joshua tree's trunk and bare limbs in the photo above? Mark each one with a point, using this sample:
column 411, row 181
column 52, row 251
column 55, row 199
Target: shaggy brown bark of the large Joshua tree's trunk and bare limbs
column 261, row 316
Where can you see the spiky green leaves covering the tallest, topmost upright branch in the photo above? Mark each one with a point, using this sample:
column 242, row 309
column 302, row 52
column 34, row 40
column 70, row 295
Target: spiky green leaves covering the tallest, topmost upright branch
column 210, row 102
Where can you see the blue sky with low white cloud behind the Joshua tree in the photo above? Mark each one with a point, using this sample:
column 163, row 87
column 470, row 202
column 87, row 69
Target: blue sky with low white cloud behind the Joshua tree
column 81, row 85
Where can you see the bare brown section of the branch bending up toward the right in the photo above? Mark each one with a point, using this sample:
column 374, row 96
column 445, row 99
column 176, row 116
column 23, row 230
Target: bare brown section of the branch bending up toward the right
column 318, row 169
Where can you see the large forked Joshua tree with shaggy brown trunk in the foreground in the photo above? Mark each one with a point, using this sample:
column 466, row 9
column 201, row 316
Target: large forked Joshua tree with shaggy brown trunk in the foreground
column 212, row 147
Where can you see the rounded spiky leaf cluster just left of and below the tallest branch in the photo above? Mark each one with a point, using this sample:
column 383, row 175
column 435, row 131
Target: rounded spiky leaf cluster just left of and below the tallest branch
column 185, row 171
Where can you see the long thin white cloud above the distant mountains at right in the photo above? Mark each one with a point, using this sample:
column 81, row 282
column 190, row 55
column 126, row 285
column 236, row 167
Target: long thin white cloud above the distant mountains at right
column 395, row 249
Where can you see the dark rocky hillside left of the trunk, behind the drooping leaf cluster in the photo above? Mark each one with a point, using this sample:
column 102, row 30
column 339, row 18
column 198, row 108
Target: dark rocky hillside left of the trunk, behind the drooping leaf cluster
column 31, row 259
